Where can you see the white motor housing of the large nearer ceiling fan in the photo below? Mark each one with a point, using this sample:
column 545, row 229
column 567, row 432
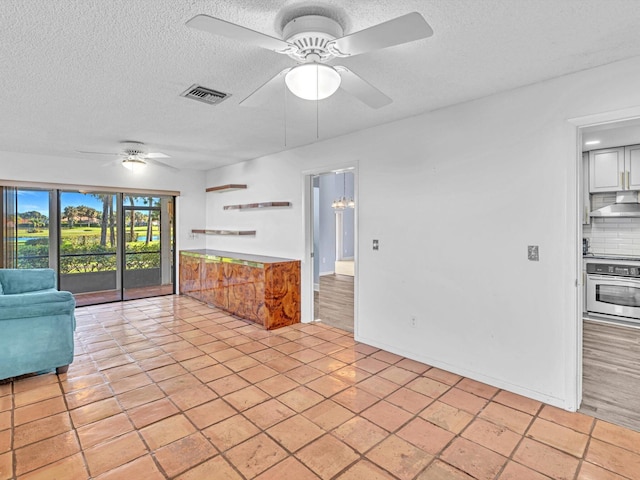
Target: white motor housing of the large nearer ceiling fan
column 311, row 34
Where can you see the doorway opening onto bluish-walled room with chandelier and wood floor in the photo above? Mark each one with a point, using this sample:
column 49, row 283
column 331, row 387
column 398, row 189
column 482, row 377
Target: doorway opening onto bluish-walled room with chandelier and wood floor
column 334, row 233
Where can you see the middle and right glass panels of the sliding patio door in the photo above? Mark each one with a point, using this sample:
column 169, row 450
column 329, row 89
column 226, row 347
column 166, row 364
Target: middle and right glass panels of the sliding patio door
column 115, row 246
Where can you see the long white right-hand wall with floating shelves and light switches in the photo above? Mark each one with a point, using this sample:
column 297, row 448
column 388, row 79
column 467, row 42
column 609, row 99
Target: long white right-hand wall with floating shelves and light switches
column 472, row 186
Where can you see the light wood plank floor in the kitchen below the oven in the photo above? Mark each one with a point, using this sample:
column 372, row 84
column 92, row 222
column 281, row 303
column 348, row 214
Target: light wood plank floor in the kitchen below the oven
column 611, row 373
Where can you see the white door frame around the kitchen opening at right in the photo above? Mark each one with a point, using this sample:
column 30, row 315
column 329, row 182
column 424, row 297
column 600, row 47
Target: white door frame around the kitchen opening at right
column 577, row 123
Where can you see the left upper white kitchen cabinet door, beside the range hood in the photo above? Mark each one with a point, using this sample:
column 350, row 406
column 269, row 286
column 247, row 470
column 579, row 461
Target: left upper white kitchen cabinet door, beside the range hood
column 607, row 172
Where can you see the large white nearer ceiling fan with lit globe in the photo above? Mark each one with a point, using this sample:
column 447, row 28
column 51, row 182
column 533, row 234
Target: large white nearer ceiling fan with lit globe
column 313, row 40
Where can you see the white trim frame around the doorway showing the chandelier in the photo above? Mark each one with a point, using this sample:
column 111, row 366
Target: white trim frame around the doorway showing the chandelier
column 308, row 214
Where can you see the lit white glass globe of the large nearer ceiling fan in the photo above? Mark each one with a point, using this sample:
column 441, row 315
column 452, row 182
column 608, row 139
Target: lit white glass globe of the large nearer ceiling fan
column 313, row 81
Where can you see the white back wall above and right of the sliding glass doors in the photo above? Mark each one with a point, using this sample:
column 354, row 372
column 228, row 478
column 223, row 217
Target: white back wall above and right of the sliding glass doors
column 56, row 170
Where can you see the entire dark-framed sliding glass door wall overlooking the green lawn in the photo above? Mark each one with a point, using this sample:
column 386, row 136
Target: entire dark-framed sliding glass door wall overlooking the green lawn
column 105, row 246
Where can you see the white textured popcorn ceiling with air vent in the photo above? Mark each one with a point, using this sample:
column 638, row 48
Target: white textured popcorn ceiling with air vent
column 86, row 74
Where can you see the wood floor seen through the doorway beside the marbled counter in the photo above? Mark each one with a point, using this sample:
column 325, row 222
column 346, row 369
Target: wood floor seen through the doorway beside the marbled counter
column 334, row 302
